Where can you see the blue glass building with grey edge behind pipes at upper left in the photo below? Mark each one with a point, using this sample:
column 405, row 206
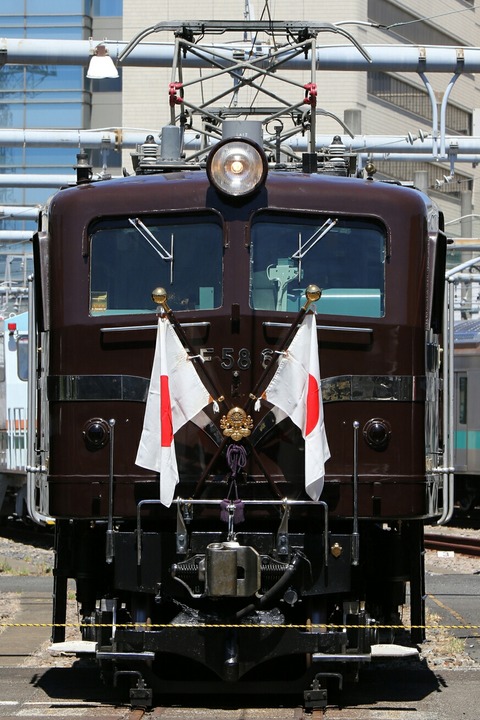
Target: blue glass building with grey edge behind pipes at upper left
column 53, row 96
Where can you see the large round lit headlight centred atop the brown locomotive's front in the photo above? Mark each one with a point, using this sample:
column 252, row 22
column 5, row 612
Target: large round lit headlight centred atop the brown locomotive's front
column 237, row 167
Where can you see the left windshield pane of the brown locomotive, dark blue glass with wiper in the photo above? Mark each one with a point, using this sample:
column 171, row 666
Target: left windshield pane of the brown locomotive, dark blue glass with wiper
column 129, row 257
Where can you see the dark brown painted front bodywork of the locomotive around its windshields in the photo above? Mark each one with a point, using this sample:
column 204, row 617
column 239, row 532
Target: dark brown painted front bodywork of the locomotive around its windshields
column 391, row 482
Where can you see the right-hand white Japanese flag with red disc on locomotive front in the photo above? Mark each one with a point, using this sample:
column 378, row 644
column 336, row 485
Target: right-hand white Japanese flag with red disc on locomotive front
column 295, row 389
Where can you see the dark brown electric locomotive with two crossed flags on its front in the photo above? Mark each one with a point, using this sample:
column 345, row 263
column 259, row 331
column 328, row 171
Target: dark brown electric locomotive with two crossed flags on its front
column 236, row 575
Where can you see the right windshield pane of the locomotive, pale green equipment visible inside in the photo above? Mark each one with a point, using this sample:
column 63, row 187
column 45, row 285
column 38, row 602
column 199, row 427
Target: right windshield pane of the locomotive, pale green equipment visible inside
column 343, row 256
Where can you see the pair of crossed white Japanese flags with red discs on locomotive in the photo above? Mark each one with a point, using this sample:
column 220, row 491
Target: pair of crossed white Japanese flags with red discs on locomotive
column 177, row 394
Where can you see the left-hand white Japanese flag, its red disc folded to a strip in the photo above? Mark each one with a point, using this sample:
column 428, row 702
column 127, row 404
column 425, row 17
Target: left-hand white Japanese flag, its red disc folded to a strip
column 176, row 394
